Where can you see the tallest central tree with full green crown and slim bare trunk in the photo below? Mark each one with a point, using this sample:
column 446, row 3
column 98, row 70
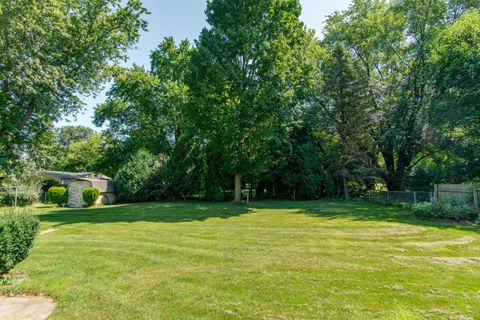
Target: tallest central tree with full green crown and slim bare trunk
column 248, row 71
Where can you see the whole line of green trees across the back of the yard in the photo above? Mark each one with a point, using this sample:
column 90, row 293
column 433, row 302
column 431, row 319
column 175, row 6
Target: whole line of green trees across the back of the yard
column 389, row 95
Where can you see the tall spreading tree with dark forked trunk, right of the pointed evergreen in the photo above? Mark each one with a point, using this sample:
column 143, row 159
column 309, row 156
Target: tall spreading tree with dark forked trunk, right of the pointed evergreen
column 393, row 42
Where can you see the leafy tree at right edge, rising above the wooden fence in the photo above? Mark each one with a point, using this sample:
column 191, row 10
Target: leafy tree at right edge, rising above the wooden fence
column 456, row 57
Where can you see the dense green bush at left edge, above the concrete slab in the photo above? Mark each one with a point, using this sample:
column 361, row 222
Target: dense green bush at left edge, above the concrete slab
column 18, row 229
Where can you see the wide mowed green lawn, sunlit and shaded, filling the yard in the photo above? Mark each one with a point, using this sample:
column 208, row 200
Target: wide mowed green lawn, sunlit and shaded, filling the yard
column 271, row 260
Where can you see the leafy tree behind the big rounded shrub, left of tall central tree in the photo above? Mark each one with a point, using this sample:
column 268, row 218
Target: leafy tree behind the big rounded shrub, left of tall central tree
column 145, row 109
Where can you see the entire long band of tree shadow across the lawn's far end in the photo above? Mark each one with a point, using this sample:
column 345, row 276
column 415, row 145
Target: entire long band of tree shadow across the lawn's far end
column 178, row 212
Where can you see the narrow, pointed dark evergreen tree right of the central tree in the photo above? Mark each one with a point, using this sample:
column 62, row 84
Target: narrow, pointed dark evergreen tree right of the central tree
column 344, row 108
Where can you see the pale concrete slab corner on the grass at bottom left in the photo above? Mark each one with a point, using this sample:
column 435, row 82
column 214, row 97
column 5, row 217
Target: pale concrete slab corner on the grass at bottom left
column 25, row 308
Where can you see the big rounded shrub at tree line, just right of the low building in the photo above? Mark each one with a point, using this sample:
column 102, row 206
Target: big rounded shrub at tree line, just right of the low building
column 132, row 179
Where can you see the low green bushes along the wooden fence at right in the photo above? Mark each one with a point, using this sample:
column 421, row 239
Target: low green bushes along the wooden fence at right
column 445, row 210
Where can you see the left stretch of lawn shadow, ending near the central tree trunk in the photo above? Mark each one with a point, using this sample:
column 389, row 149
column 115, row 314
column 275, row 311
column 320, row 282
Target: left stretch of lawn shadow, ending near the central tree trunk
column 177, row 212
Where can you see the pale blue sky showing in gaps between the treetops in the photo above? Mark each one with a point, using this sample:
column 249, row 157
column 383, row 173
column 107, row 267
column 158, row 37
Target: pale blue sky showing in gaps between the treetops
column 185, row 19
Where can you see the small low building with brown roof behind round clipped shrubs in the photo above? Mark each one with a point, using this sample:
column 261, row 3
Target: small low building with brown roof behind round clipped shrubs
column 76, row 182
